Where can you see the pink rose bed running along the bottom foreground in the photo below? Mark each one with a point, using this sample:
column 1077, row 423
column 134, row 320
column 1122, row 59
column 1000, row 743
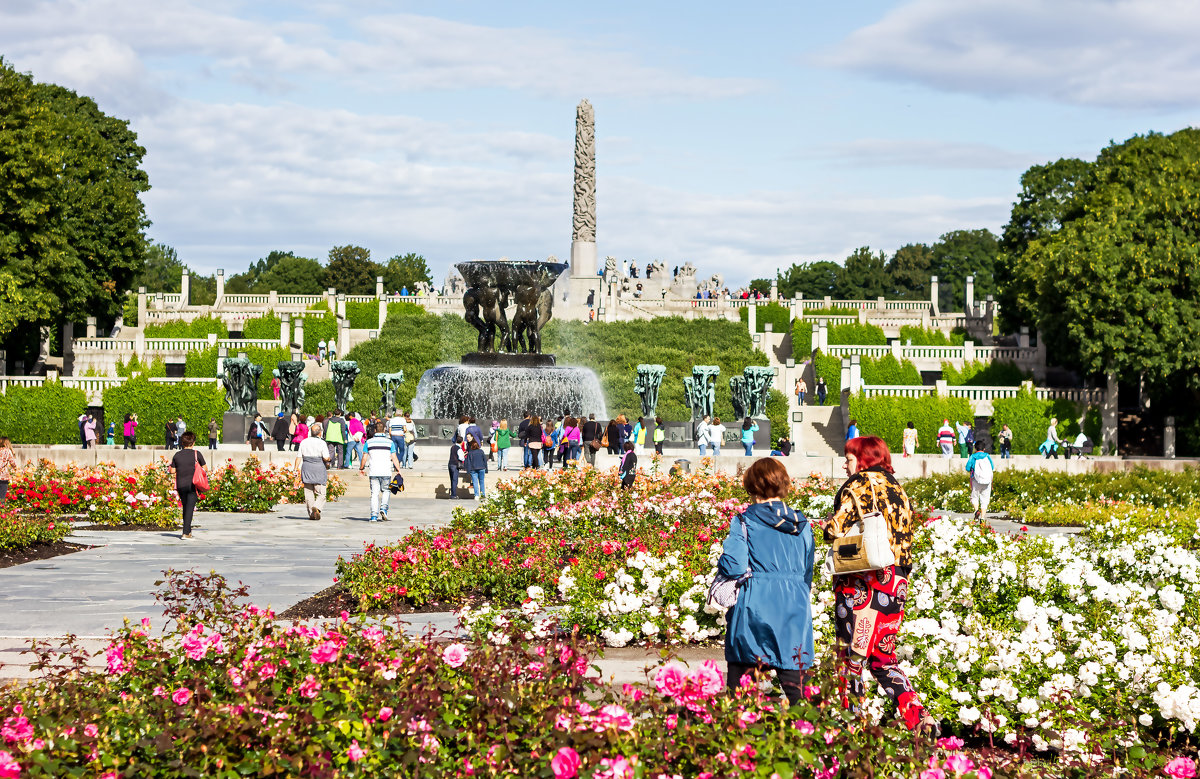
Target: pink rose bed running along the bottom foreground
column 227, row 692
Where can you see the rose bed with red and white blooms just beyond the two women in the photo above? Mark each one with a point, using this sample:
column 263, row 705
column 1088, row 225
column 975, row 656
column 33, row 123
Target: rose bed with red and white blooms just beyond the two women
column 1004, row 634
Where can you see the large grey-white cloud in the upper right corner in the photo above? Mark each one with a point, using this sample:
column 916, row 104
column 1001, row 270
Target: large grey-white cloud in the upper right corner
column 1105, row 53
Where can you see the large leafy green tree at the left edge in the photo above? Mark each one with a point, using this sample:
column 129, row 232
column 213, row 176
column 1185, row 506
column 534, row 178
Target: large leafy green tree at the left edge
column 71, row 218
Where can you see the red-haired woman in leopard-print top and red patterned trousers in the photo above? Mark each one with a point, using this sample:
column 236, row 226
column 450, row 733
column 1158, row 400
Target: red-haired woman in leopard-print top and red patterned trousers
column 871, row 604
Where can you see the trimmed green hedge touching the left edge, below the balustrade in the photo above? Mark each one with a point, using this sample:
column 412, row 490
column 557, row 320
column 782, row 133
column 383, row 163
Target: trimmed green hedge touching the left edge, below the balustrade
column 44, row 415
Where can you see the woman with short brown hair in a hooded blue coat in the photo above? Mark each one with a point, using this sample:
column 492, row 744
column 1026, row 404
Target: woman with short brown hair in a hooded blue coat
column 771, row 626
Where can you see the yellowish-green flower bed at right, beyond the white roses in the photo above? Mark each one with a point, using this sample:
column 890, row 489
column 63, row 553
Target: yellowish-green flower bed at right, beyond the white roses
column 1015, row 490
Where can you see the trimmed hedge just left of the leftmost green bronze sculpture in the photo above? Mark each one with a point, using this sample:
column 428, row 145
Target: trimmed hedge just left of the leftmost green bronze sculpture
column 155, row 403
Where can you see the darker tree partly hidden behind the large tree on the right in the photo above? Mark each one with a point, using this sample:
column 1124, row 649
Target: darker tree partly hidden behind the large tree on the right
column 1049, row 199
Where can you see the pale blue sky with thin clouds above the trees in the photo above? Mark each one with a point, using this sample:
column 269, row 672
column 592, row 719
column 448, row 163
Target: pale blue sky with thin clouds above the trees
column 742, row 140
